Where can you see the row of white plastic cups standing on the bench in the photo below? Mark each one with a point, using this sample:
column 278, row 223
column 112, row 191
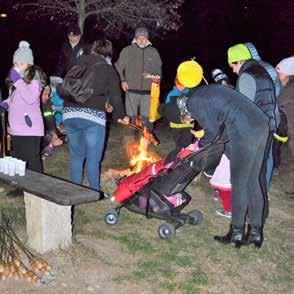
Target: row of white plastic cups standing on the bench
column 12, row 166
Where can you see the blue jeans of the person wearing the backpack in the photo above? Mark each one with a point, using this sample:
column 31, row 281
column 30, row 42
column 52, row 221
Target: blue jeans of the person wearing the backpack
column 86, row 142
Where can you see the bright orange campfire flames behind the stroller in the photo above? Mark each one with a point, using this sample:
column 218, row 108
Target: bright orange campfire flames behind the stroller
column 140, row 156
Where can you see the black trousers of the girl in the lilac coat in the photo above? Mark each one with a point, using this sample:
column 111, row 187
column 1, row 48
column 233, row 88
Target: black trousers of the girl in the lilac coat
column 27, row 148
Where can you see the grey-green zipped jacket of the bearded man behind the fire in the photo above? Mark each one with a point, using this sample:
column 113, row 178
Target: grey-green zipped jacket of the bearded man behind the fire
column 134, row 61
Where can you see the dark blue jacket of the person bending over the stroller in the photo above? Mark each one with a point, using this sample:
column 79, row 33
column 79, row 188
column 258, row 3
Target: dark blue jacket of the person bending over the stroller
column 217, row 105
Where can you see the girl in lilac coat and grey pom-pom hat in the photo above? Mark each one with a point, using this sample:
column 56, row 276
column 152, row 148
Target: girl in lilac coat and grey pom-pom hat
column 25, row 119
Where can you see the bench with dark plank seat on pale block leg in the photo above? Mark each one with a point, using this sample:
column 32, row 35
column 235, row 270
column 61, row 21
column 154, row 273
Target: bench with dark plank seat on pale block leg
column 48, row 202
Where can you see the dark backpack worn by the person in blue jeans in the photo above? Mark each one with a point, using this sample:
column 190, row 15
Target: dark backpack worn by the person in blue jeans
column 78, row 82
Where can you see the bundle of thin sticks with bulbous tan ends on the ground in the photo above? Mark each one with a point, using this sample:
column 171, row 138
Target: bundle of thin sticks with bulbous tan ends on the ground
column 16, row 260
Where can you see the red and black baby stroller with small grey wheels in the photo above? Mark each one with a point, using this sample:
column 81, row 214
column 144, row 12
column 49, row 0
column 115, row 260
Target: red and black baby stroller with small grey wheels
column 158, row 192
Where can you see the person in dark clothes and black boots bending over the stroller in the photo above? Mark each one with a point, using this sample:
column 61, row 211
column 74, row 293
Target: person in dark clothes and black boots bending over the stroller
column 246, row 128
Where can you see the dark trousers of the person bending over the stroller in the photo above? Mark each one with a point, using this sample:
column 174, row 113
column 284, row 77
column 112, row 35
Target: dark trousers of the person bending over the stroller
column 248, row 178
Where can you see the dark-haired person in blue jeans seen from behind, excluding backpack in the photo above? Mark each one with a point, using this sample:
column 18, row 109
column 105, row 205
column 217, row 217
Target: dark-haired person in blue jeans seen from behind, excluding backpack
column 85, row 122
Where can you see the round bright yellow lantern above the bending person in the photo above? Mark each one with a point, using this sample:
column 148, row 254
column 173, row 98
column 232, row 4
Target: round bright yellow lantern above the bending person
column 189, row 73
